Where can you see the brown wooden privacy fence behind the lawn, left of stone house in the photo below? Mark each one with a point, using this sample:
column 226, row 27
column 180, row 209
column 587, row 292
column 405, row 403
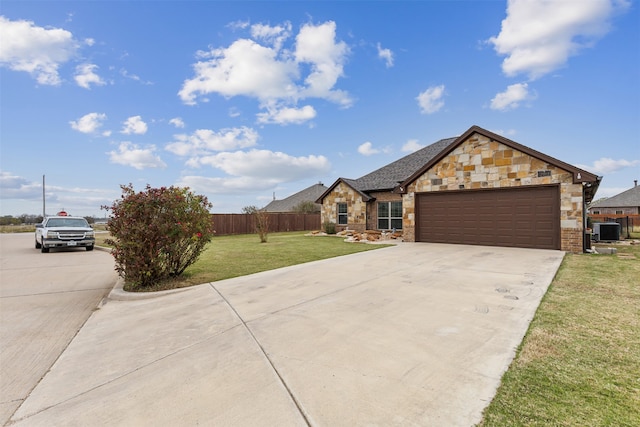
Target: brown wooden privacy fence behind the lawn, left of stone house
column 225, row 224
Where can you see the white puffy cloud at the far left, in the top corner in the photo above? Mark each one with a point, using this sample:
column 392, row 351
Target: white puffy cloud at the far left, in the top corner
column 36, row 50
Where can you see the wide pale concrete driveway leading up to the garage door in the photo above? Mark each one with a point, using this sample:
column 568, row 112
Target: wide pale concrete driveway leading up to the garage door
column 413, row 335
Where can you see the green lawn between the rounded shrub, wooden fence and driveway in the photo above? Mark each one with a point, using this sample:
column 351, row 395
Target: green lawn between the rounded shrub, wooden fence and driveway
column 232, row 256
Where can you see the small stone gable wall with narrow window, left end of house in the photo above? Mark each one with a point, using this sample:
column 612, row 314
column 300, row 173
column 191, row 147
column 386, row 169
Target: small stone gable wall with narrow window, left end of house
column 356, row 208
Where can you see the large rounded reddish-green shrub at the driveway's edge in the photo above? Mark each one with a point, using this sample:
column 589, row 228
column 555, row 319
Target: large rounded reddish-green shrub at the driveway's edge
column 157, row 233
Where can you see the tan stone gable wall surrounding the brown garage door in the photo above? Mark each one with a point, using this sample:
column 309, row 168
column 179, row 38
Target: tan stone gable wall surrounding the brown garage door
column 480, row 162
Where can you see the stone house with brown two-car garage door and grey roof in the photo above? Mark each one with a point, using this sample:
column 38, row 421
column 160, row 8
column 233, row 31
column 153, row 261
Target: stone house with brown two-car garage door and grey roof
column 479, row 188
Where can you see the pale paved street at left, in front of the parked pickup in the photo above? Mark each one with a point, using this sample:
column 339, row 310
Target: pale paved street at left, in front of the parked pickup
column 44, row 301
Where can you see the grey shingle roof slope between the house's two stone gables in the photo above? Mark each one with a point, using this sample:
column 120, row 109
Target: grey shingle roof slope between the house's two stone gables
column 389, row 176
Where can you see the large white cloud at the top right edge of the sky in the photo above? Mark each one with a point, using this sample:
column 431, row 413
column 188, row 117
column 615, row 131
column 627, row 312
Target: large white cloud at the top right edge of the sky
column 538, row 37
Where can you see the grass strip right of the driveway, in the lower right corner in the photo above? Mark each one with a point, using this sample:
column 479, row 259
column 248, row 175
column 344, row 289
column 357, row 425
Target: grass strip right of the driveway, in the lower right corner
column 579, row 364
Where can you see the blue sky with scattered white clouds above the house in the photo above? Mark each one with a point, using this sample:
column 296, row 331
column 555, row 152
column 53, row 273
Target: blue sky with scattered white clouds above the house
column 242, row 100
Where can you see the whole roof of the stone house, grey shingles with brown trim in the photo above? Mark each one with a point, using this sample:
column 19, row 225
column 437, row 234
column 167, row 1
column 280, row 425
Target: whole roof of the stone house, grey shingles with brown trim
column 399, row 174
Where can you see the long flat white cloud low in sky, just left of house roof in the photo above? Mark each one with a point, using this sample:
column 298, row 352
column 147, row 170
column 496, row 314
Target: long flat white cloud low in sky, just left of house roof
column 269, row 165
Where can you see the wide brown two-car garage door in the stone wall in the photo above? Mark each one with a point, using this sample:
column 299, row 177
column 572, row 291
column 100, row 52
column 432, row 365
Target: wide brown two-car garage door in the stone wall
column 527, row 217
